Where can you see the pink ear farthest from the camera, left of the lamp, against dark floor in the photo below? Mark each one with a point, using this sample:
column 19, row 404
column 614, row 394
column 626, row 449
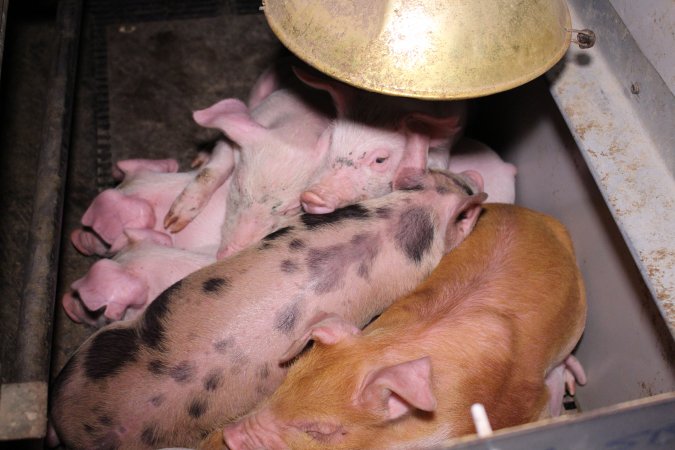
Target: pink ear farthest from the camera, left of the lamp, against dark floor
column 232, row 117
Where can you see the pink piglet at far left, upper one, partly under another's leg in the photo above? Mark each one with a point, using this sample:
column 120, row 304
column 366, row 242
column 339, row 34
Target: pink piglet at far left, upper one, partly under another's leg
column 141, row 200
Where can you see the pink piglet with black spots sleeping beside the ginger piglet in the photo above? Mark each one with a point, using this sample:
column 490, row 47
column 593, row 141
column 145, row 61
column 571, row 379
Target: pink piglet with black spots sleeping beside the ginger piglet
column 206, row 351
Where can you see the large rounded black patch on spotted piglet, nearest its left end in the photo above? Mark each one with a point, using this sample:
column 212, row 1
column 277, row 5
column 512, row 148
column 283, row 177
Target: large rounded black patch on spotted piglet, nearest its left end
column 110, row 351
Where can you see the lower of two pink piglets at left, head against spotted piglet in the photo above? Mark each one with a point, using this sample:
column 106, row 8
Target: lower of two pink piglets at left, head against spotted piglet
column 121, row 287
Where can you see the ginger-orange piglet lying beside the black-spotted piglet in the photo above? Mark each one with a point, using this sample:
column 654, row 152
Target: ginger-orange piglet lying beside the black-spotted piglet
column 494, row 324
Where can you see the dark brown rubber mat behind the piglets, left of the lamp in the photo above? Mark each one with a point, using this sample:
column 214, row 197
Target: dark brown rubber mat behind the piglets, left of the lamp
column 155, row 61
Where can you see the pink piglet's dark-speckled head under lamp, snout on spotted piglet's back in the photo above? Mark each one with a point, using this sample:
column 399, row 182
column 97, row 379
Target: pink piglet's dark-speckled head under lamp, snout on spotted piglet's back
column 373, row 138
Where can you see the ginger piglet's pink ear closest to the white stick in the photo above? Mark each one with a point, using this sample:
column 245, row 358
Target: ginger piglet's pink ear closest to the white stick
column 399, row 389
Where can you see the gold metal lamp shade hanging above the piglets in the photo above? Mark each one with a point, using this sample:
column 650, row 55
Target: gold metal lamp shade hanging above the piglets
column 433, row 49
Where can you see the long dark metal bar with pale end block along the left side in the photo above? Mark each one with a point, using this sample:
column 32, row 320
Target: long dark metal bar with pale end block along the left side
column 39, row 289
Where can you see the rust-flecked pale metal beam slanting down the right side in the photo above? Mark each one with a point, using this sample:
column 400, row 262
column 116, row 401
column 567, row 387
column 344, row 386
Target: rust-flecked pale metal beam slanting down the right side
column 621, row 114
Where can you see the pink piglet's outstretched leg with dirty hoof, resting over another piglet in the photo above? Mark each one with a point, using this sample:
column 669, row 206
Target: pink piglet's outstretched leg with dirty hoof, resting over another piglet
column 198, row 192
